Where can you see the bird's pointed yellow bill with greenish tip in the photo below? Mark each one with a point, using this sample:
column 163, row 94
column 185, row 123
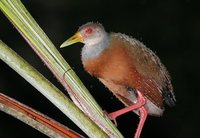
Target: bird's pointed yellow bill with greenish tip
column 74, row 39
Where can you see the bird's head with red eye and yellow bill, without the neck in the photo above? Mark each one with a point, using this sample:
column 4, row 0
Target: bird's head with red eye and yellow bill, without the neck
column 89, row 34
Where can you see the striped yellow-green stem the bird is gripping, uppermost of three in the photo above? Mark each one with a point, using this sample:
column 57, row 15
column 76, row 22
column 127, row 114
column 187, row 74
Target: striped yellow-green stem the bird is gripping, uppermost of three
column 30, row 30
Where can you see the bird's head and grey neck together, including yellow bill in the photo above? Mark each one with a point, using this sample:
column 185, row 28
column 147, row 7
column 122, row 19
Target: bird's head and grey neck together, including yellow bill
column 93, row 36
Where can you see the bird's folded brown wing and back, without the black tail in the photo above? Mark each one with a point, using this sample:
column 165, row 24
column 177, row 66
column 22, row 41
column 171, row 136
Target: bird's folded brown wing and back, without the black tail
column 145, row 61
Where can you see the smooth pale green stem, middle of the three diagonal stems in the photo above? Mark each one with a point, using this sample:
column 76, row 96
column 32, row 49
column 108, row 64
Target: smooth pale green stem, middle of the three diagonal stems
column 49, row 91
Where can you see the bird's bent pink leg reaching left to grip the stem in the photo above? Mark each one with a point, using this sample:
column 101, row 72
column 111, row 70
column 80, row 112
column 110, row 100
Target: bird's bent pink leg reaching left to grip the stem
column 140, row 102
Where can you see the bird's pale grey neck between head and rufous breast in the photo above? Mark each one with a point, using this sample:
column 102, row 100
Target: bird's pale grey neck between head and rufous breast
column 92, row 51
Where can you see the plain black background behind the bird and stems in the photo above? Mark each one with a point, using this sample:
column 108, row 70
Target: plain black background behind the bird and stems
column 170, row 28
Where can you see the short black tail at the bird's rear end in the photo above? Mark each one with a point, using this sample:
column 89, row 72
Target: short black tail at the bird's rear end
column 169, row 98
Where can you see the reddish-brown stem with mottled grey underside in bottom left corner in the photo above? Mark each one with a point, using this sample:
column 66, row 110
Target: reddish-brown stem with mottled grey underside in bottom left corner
column 35, row 119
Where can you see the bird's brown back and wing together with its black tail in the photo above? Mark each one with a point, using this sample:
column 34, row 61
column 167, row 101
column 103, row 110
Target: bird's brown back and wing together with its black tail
column 149, row 66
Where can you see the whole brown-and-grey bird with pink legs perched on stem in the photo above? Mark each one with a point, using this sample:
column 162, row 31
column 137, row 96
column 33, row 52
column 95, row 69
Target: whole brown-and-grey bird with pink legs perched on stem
column 130, row 70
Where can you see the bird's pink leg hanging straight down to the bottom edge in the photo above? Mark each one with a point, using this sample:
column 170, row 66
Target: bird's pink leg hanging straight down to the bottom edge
column 143, row 116
